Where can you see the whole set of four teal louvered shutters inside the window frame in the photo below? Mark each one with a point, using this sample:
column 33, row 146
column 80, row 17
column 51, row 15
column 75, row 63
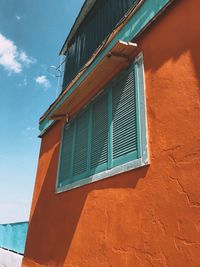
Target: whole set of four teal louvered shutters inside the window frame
column 103, row 135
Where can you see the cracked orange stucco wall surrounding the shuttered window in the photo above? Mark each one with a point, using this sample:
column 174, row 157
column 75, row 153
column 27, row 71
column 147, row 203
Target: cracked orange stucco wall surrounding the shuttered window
column 145, row 217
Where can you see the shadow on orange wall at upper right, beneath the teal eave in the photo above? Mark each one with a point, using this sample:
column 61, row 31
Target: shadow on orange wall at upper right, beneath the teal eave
column 176, row 38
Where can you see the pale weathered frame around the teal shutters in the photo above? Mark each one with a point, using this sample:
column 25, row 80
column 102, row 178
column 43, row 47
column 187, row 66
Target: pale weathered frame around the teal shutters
column 142, row 159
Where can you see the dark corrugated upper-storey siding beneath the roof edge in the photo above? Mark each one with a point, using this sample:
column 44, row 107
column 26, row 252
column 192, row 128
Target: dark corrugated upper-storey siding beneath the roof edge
column 97, row 25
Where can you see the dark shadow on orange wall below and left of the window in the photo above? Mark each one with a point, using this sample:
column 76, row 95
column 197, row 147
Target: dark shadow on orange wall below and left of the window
column 55, row 218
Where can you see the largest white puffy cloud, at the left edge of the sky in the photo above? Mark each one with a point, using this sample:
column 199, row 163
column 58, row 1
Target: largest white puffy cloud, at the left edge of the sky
column 11, row 57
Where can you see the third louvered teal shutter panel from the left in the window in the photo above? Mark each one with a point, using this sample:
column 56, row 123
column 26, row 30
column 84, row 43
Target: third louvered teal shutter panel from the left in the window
column 99, row 146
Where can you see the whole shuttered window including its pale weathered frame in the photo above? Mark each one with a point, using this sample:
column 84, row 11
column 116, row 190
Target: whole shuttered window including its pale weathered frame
column 108, row 136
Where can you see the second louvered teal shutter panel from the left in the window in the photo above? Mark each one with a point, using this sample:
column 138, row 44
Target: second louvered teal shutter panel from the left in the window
column 81, row 146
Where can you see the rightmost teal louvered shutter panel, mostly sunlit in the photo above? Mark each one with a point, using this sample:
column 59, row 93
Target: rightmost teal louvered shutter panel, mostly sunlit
column 124, row 118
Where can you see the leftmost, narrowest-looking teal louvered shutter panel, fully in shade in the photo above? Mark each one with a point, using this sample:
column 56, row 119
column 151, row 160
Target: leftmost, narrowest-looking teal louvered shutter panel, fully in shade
column 66, row 154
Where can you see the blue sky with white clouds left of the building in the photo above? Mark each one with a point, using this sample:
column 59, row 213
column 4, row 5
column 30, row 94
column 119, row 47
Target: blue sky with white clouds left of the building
column 32, row 33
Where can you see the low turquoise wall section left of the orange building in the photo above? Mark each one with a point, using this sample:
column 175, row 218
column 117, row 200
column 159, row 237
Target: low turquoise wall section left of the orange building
column 13, row 236
